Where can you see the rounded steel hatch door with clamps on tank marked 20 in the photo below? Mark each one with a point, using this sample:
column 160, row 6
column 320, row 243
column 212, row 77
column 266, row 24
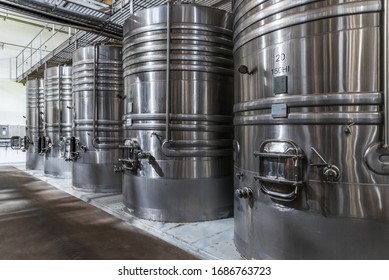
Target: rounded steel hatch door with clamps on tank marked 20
column 280, row 169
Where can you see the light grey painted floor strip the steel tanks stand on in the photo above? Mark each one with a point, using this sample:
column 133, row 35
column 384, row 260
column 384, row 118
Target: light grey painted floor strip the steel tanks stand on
column 206, row 240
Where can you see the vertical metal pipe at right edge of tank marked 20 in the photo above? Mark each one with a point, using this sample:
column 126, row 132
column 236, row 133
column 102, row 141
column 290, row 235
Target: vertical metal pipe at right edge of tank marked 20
column 386, row 72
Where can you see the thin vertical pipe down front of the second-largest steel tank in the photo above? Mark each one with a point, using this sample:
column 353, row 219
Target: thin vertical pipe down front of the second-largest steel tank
column 167, row 70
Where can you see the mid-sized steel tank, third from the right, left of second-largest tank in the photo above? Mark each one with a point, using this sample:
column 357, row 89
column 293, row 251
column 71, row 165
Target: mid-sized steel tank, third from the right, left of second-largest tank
column 97, row 98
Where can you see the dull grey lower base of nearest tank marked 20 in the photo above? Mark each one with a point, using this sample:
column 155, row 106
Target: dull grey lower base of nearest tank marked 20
column 286, row 235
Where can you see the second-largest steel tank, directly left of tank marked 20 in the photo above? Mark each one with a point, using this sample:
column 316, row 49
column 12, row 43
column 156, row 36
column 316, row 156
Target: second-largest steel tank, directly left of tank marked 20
column 178, row 113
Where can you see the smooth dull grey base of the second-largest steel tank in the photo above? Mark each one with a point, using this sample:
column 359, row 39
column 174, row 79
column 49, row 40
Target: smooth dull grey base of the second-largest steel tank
column 178, row 200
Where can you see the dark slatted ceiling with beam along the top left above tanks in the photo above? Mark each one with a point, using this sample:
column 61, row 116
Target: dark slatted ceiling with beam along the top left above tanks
column 105, row 17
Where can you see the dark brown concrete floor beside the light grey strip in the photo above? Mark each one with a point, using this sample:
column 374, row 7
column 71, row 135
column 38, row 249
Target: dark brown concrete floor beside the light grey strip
column 39, row 221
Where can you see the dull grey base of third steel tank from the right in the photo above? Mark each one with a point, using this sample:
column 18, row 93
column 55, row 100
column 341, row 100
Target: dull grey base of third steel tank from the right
column 96, row 178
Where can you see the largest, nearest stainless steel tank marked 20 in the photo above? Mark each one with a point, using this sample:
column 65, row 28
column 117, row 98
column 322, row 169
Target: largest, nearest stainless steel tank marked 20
column 311, row 126
